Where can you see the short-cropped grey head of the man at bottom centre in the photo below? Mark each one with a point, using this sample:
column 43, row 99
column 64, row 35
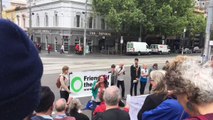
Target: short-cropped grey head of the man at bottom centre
column 112, row 96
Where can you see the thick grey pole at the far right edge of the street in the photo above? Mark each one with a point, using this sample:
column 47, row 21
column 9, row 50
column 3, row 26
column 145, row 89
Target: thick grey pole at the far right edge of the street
column 206, row 53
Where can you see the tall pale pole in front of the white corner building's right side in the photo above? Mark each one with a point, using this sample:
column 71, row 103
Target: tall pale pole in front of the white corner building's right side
column 85, row 28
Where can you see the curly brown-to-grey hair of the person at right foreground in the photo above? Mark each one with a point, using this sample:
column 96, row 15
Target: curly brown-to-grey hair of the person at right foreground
column 187, row 76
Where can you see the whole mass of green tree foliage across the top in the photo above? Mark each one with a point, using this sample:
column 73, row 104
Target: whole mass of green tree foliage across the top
column 165, row 17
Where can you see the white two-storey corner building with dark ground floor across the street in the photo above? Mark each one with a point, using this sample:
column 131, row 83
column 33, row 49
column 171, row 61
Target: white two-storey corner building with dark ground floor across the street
column 61, row 22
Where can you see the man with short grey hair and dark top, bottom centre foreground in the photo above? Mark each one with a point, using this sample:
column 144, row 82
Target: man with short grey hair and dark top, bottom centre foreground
column 112, row 97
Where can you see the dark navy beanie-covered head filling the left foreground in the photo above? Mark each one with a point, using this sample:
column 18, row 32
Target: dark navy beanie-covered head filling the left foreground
column 20, row 73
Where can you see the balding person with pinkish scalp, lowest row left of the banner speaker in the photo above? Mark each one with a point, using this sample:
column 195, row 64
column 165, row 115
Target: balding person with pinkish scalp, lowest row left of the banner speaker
column 60, row 107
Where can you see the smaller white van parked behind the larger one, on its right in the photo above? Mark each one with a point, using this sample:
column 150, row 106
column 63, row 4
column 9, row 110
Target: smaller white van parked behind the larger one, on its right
column 159, row 48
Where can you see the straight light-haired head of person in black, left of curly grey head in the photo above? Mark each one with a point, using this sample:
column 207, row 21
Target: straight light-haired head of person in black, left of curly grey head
column 158, row 76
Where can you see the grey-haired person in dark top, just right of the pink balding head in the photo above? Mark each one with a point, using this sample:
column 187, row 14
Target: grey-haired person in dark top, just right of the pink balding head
column 74, row 110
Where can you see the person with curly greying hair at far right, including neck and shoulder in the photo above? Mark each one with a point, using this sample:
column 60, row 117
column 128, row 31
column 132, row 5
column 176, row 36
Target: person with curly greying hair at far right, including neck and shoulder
column 192, row 84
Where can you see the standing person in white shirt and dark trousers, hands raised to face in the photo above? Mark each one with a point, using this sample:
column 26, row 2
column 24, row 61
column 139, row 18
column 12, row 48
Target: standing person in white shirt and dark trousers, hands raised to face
column 120, row 79
